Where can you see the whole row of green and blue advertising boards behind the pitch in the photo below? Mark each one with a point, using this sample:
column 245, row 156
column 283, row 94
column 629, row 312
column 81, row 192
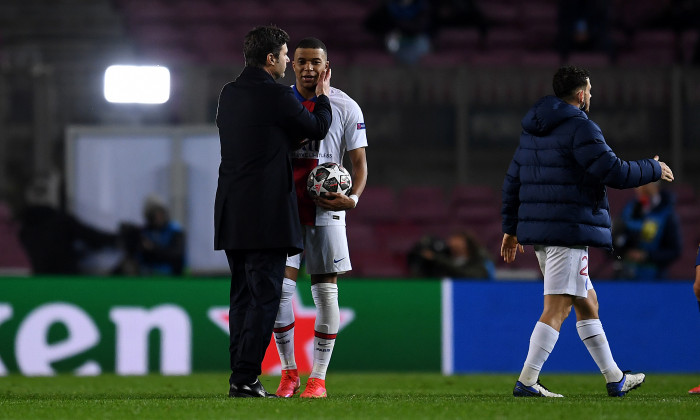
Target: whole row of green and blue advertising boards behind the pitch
column 135, row 326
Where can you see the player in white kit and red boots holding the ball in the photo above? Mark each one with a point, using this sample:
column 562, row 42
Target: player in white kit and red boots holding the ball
column 323, row 221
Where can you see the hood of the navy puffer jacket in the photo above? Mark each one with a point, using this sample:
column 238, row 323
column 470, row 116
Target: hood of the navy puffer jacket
column 548, row 113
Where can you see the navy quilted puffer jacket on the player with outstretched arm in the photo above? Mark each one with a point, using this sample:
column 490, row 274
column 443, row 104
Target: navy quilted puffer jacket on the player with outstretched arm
column 554, row 190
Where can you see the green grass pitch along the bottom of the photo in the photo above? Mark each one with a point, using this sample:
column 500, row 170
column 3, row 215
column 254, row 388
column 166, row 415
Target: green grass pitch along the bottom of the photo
column 389, row 396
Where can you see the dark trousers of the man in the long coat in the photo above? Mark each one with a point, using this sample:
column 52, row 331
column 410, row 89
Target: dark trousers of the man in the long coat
column 256, row 288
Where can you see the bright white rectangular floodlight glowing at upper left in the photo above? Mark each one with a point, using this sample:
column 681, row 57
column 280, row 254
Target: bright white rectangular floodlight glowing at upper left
column 137, row 84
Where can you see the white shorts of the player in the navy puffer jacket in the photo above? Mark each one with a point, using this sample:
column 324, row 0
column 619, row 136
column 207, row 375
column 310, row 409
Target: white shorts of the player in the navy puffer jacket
column 565, row 270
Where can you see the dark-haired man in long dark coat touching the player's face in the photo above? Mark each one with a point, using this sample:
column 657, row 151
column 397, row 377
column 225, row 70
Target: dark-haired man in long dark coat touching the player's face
column 255, row 215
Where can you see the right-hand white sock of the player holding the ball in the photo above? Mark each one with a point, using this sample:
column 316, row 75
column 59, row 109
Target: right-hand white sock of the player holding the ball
column 326, row 327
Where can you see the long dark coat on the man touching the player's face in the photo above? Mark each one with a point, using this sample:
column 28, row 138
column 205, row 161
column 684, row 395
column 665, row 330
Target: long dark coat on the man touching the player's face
column 260, row 122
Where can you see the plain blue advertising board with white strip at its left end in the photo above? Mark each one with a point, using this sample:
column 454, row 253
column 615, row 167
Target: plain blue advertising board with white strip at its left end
column 651, row 327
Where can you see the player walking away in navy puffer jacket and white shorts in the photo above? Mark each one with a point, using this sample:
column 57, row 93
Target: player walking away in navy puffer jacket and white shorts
column 554, row 197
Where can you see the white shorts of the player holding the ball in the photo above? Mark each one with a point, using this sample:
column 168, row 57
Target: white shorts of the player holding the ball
column 325, row 250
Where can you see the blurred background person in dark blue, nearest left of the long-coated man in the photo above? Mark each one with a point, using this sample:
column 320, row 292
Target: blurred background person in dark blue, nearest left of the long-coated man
column 158, row 247
